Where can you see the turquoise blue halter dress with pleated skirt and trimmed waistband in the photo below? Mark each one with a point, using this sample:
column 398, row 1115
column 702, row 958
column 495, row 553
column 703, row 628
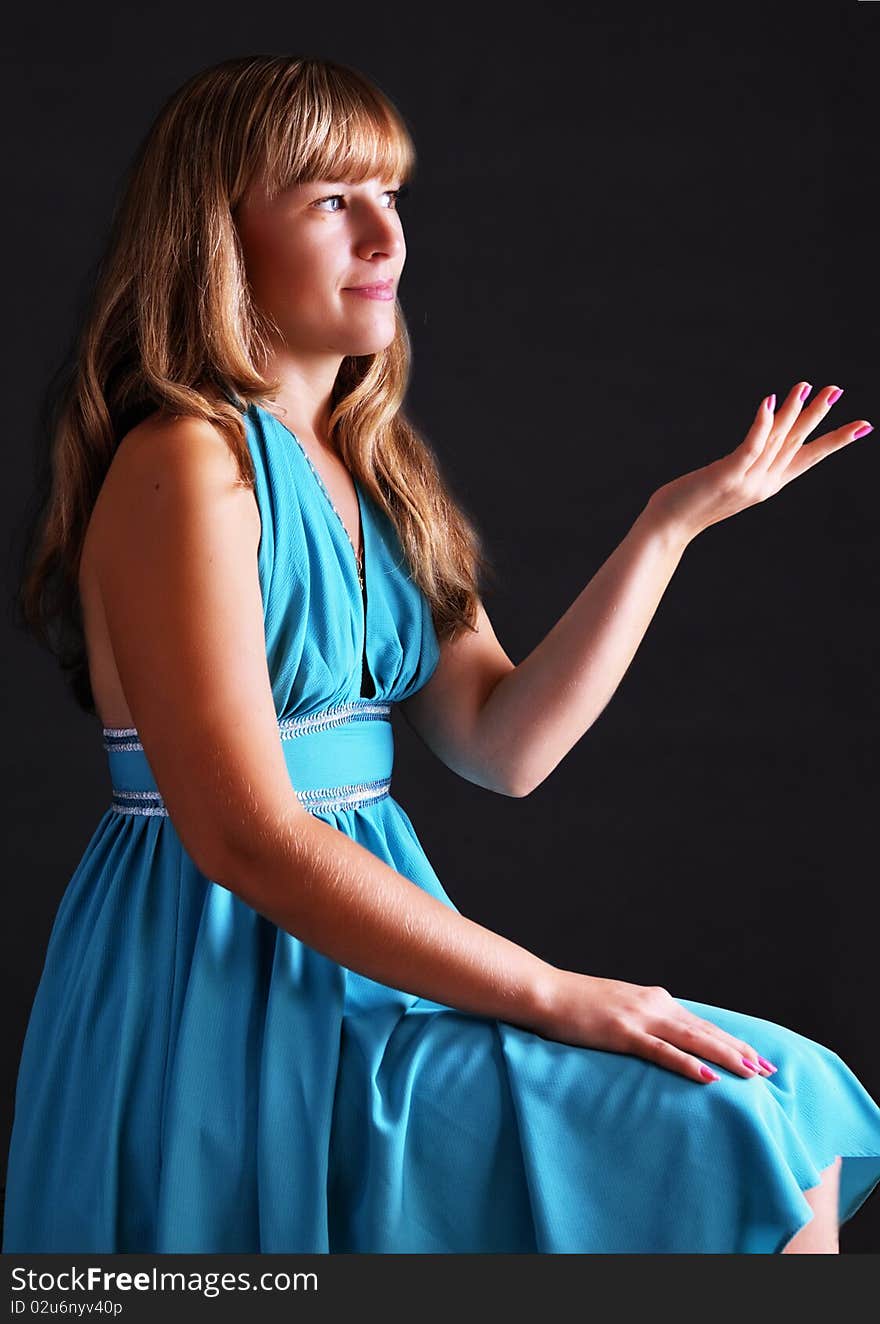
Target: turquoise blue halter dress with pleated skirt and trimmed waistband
column 197, row 1080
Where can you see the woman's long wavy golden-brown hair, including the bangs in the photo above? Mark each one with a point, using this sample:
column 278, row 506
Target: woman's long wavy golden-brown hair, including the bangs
column 171, row 326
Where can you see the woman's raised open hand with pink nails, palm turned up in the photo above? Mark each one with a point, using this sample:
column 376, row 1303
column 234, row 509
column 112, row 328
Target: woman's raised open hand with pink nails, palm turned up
column 771, row 456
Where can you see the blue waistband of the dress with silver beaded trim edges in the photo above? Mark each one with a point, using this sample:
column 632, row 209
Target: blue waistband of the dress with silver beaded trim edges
column 316, row 745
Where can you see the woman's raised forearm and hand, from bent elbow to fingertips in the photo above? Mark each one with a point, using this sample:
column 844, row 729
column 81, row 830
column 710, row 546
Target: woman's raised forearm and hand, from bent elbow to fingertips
column 541, row 709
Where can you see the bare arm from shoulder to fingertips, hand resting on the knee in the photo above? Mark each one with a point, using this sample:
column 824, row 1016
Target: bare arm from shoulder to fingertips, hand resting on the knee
column 177, row 562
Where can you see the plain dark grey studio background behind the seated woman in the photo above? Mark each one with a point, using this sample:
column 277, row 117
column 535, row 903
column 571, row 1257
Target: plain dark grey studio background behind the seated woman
column 625, row 230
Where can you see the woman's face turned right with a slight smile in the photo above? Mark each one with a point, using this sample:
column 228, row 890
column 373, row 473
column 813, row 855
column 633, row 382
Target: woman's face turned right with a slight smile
column 306, row 248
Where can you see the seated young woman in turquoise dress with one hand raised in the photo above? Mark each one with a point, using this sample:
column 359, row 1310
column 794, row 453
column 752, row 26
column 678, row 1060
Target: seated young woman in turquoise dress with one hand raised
column 263, row 1024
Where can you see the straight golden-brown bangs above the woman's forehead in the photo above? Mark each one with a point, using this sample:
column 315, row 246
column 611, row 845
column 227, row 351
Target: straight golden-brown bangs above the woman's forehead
column 337, row 126
